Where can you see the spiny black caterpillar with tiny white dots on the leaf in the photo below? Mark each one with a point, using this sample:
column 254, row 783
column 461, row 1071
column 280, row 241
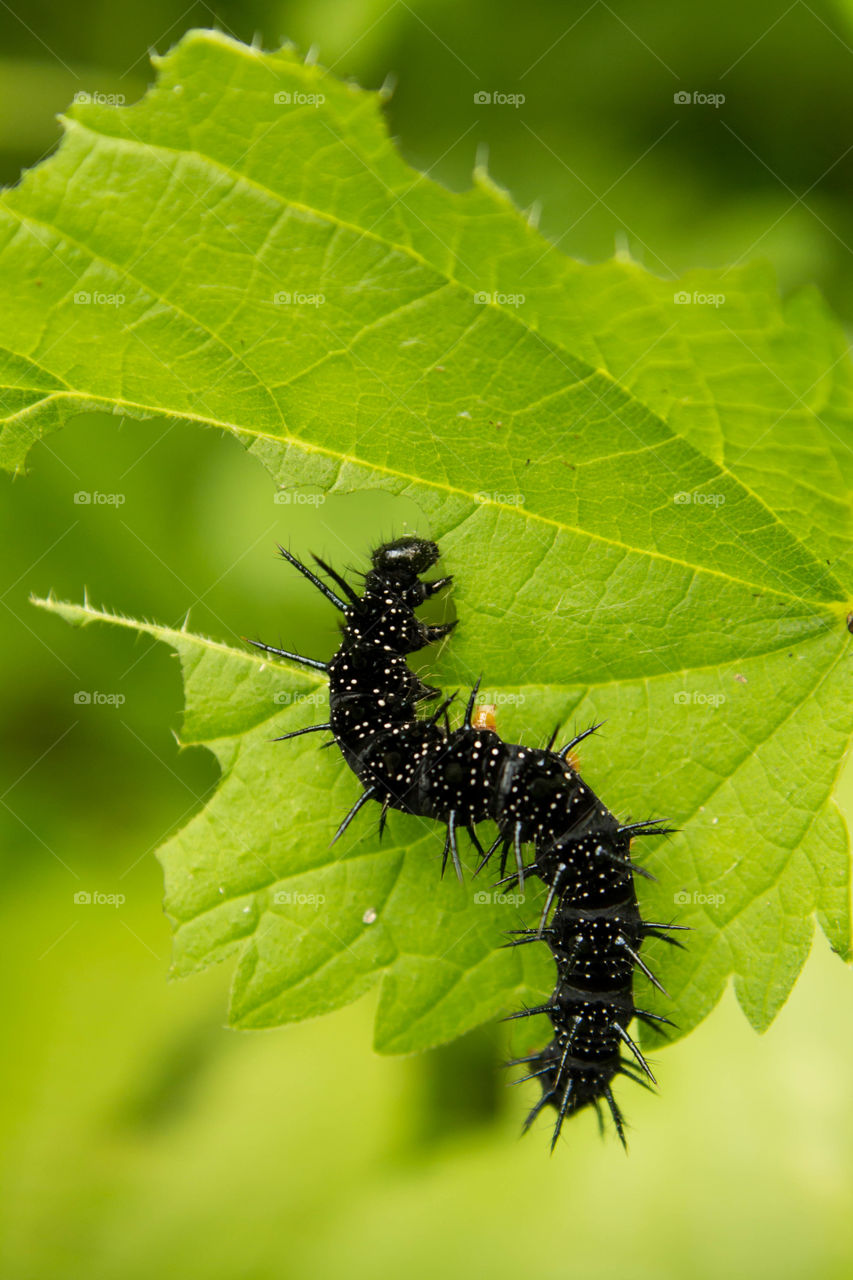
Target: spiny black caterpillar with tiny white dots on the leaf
column 591, row 920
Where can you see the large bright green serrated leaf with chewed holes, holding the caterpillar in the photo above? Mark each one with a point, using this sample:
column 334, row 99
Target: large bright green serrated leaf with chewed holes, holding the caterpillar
column 645, row 501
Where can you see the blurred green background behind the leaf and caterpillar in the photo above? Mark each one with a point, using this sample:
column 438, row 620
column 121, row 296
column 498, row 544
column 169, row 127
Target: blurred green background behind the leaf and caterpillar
column 142, row 1137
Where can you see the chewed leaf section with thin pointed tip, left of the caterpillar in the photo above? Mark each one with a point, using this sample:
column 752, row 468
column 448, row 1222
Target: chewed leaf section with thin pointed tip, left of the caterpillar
column 314, row 927
